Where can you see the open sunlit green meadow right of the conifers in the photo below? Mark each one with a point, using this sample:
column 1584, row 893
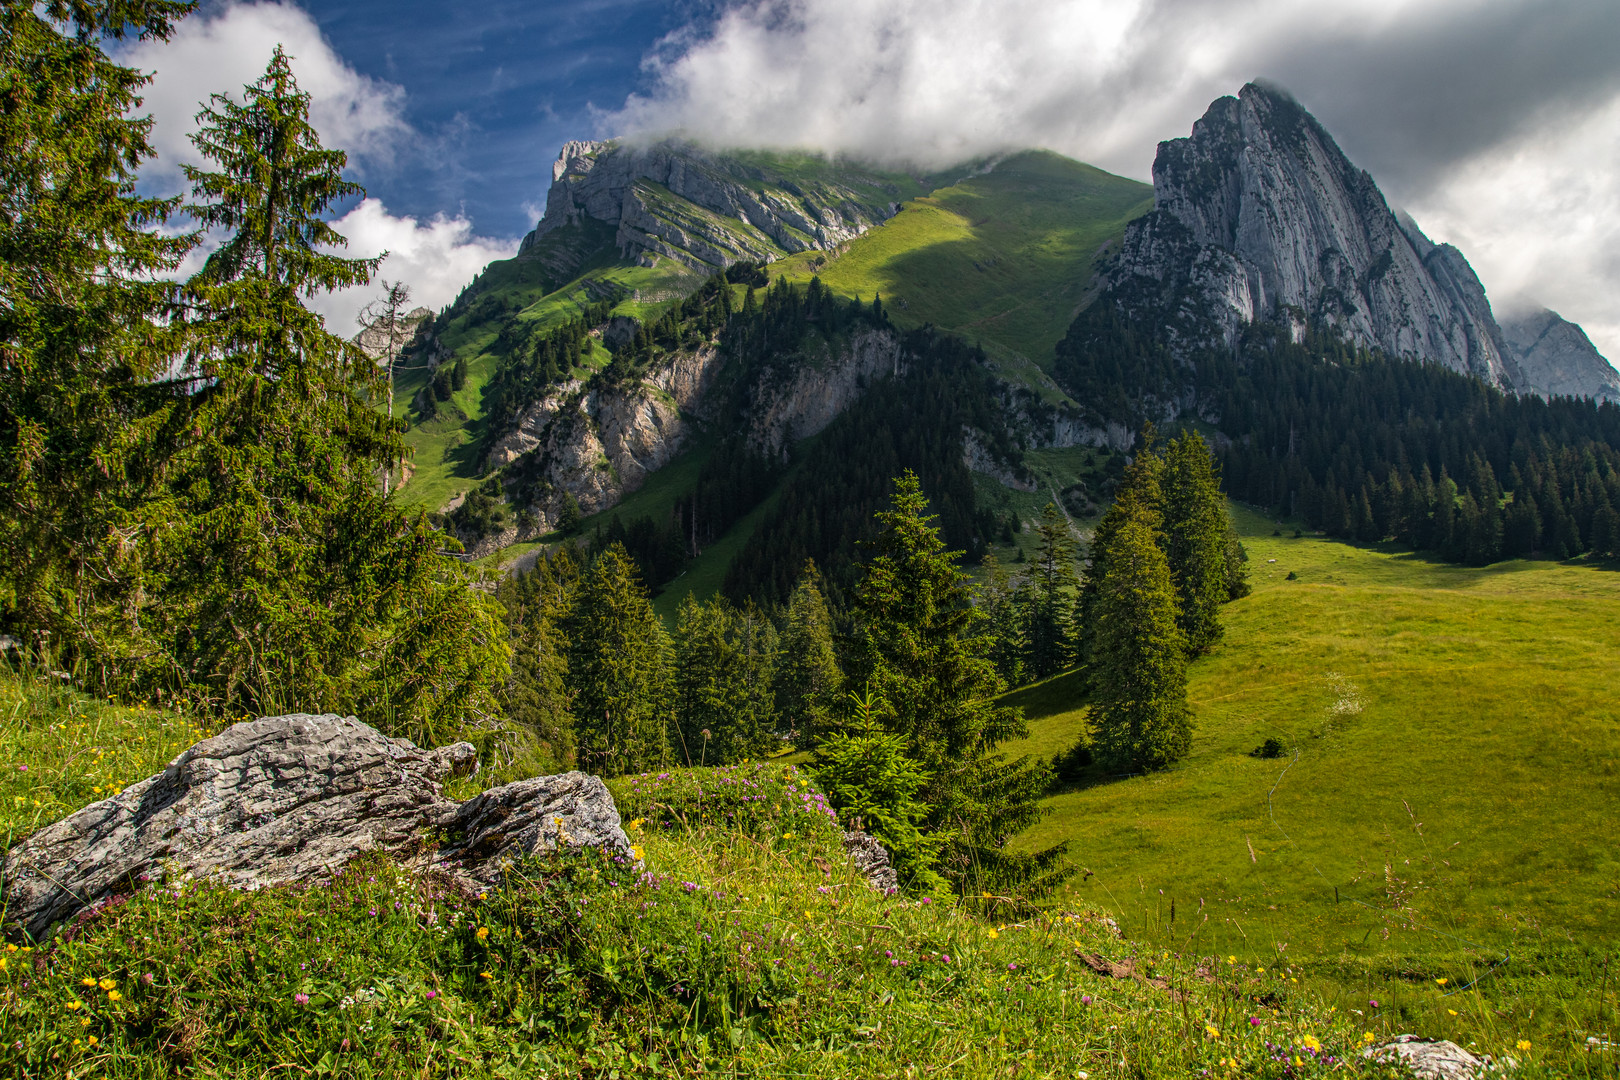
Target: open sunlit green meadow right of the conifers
column 1449, row 791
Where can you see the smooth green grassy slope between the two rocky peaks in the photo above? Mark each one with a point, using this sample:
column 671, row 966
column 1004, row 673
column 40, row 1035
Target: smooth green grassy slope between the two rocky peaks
column 1004, row 257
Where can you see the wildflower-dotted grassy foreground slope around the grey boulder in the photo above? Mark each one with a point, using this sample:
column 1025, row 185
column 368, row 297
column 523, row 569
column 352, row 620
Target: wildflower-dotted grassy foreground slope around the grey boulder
column 743, row 946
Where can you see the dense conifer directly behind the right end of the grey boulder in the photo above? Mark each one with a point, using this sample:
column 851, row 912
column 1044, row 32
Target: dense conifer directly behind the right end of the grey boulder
column 618, row 670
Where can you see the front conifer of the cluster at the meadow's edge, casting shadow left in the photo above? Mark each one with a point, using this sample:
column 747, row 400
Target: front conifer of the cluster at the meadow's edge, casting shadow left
column 1140, row 668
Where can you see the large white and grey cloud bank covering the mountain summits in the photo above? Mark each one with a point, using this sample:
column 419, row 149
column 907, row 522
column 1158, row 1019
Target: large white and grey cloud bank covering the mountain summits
column 1493, row 121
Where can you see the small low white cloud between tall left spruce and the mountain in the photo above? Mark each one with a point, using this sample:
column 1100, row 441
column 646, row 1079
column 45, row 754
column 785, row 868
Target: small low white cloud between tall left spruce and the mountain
column 435, row 258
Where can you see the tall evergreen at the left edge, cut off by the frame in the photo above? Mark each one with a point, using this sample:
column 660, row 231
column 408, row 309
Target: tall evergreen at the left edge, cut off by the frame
column 88, row 326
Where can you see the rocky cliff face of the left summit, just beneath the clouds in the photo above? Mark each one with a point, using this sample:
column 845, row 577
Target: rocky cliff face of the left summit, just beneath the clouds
column 701, row 210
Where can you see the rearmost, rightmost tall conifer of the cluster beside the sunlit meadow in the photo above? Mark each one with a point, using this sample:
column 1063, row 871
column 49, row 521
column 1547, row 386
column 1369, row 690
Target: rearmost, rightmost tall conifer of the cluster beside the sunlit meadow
column 1196, row 530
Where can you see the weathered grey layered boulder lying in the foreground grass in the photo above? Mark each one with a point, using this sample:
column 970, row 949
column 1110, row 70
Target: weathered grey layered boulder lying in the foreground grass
column 292, row 799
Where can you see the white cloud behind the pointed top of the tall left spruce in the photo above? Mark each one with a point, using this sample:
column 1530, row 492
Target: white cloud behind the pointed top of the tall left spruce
column 223, row 53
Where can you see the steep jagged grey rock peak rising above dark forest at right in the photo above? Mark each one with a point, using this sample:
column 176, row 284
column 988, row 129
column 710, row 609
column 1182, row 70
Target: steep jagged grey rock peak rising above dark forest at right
column 1261, row 216
